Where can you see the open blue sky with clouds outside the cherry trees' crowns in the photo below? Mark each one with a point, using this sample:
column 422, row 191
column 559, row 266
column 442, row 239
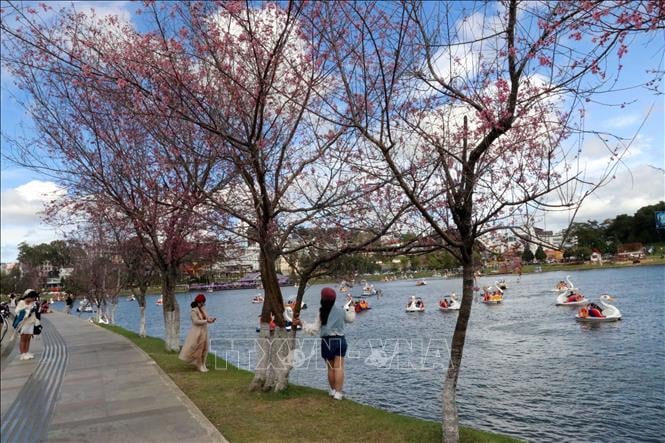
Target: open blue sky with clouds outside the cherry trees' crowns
column 639, row 180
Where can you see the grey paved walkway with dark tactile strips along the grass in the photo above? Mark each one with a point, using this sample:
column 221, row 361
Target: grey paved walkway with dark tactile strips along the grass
column 87, row 384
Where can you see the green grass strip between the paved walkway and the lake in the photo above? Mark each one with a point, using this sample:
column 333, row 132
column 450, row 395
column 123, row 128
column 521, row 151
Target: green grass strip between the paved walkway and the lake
column 299, row 414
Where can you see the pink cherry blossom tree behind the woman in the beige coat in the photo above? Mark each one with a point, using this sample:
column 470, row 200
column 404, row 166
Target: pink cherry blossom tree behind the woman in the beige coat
column 111, row 154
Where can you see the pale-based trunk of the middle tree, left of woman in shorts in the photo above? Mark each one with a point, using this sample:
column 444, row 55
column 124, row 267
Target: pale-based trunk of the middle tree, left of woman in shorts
column 270, row 344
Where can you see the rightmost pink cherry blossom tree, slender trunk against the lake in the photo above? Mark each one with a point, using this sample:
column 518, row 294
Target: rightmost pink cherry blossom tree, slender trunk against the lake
column 474, row 109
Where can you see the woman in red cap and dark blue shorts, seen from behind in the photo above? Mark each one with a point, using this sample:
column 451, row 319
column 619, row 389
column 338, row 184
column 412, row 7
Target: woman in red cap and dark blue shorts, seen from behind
column 330, row 325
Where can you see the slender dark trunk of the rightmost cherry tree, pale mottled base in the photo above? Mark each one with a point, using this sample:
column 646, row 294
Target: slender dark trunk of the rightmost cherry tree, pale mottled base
column 450, row 417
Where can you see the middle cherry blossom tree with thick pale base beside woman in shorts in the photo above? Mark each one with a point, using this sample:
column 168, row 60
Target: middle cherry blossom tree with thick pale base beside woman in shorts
column 250, row 79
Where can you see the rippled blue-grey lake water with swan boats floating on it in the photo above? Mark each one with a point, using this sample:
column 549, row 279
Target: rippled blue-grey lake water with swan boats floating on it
column 529, row 369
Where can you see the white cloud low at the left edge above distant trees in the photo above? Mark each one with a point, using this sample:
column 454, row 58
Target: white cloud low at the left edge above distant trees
column 20, row 216
